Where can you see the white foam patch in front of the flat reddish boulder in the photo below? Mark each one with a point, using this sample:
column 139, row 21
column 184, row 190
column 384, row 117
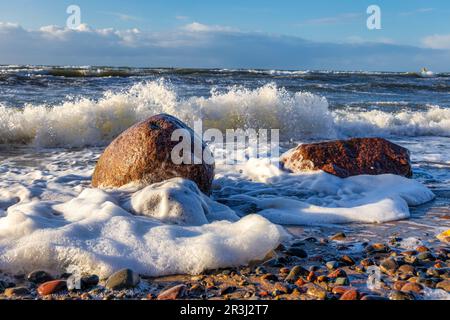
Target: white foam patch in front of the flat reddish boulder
column 318, row 198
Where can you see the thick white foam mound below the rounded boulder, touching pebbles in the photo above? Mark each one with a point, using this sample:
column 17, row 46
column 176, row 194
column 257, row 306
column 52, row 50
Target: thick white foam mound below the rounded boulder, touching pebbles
column 94, row 232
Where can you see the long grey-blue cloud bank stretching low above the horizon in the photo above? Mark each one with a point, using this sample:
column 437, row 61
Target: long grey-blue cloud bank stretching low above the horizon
column 201, row 45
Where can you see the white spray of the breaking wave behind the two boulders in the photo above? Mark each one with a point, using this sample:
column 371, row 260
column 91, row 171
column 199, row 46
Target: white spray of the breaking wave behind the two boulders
column 299, row 116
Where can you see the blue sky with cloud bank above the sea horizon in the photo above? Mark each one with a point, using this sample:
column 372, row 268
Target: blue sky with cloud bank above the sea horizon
column 282, row 34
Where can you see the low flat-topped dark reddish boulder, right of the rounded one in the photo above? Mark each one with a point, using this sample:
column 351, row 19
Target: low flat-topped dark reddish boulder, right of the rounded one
column 344, row 158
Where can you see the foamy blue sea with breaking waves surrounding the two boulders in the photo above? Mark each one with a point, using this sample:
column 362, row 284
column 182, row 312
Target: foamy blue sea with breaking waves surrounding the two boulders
column 55, row 122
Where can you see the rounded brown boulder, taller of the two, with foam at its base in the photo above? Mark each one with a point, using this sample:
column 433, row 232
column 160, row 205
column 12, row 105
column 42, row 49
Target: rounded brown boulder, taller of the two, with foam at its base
column 142, row 154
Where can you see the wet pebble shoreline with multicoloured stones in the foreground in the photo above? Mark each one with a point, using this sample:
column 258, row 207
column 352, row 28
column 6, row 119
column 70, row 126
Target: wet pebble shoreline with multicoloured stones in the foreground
column 328, row 266
